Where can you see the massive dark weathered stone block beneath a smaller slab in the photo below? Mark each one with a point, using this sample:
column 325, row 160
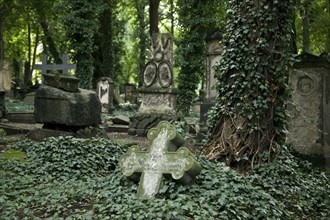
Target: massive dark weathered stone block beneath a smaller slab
column 55, row 106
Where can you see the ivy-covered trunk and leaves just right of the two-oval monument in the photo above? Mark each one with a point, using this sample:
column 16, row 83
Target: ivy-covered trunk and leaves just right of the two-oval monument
column 195, row 19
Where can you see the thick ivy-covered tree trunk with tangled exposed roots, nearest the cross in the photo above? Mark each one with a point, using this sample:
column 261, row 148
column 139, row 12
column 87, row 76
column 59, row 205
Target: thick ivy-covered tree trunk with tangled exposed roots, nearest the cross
column 248, row 122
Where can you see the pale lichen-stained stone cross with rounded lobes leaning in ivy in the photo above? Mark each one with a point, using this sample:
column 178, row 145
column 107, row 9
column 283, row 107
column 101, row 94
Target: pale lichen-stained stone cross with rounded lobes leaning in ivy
column 158, row 160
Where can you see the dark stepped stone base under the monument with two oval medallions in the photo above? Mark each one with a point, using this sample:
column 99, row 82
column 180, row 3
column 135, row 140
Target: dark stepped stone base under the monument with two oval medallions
column 142, row 123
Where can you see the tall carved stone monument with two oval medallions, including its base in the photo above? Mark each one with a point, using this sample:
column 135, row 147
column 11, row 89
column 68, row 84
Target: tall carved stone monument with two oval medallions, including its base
column 157, row 93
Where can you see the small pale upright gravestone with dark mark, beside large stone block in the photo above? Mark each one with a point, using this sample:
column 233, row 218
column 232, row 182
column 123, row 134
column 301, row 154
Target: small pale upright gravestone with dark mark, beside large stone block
column 104, row 91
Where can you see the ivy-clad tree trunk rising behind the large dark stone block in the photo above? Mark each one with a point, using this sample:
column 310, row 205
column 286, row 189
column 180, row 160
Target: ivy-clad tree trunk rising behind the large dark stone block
column 80, row 22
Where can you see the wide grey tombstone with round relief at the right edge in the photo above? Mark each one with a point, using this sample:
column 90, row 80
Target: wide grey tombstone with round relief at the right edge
column 309, row 121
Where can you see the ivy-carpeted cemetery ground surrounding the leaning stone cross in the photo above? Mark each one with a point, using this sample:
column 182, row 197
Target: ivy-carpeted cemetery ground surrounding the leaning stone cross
column 79, row 178
